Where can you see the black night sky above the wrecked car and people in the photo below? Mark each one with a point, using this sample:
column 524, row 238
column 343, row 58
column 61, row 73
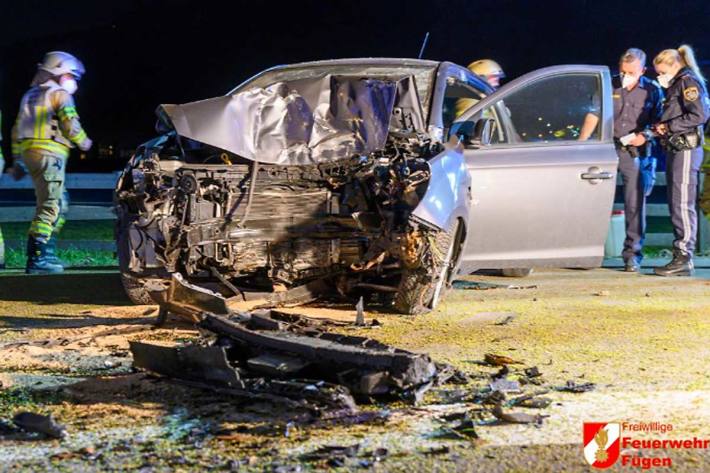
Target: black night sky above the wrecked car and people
column 140, row 53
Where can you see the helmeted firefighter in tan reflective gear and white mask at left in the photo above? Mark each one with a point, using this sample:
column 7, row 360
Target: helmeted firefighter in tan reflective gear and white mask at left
column 47, row 127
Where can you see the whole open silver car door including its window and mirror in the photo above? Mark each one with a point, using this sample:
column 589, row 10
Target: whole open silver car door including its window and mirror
column 540, row 197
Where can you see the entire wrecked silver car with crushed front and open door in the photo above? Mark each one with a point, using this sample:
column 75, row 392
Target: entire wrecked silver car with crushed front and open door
column 373, row 176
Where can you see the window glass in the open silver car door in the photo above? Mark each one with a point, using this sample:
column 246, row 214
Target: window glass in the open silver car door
column 552, row 109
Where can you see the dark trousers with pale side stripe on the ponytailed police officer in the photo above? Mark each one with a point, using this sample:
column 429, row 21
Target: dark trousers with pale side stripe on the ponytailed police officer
column 682, row 181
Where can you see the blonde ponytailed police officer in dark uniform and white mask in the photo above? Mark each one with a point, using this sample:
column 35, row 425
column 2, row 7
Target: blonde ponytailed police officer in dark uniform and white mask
column 685, row 110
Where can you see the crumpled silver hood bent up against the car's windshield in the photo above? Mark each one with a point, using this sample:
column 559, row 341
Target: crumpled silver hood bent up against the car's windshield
column 304, row 121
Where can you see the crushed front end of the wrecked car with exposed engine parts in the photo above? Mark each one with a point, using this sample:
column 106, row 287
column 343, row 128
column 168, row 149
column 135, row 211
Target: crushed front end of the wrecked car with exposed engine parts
column 330, row 179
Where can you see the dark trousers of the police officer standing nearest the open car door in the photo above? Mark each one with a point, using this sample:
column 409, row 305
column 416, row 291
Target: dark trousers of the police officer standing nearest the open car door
column 634, row 205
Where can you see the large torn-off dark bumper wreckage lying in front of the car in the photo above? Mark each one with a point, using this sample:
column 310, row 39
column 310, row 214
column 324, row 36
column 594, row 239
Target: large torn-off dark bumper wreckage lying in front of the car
column 282, row 357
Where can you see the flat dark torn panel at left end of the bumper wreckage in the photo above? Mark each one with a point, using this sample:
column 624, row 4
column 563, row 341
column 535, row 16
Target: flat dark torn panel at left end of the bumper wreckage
column 194, row 363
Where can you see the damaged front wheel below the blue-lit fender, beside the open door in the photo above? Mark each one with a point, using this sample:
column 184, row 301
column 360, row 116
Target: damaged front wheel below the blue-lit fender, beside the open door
column 418, row 292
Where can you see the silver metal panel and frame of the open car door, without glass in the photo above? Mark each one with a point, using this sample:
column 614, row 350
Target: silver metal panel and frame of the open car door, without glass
column 530, row 204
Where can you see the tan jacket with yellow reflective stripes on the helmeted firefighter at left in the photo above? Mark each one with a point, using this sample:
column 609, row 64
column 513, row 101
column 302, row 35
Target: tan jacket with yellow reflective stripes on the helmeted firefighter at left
column 48, row 121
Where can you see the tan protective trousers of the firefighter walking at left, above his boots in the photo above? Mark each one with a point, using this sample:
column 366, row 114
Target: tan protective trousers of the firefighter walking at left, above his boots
column 48, row 173
